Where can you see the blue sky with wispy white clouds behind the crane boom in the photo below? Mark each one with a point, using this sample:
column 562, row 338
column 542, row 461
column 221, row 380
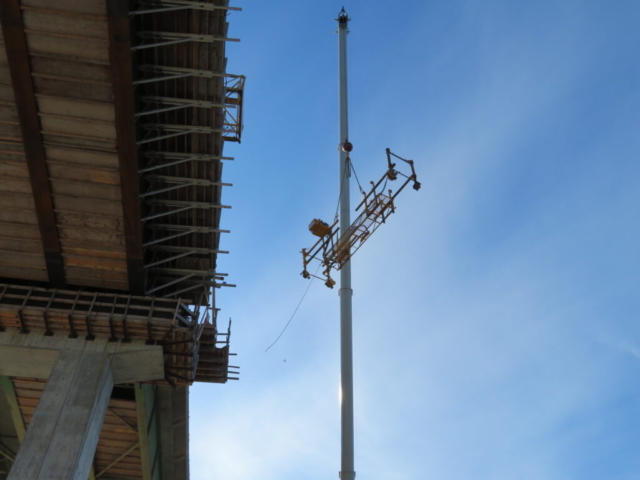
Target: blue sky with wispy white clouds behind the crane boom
column 496, row 314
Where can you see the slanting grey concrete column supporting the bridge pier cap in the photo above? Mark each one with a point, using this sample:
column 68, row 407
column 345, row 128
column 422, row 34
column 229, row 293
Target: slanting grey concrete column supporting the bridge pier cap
column 62, row 437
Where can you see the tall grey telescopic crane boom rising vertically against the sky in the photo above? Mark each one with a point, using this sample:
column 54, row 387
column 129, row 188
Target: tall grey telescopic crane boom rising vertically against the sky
column 347, row 469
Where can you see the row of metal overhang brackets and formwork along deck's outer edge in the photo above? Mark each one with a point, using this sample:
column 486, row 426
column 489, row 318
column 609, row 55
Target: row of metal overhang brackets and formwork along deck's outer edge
column 188, row 107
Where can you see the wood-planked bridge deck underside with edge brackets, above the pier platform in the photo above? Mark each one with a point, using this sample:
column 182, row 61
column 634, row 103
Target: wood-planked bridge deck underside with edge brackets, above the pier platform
column 113, row 117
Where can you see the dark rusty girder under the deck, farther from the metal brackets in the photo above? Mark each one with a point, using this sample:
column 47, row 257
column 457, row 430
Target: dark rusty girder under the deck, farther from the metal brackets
column 17, row 55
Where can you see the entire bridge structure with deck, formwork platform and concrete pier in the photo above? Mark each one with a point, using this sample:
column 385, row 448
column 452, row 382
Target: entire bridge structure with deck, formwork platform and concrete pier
column 113, row 119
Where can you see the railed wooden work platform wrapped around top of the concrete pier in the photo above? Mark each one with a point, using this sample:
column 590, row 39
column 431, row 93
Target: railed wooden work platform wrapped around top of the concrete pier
column 190, row 346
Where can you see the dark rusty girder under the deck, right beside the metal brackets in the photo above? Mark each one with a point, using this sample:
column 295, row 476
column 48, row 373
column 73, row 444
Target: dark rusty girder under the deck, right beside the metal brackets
column 122, row 79
